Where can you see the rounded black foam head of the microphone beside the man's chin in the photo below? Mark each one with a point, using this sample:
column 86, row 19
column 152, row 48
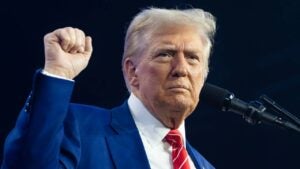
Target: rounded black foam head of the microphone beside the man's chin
column 216, row 96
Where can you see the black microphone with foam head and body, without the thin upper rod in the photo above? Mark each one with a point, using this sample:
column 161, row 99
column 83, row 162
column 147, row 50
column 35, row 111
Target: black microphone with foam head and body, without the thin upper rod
column 253, row 112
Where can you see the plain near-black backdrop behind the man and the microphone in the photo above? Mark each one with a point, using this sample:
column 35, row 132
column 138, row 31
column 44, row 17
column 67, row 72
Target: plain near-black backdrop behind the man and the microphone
column 256, row 52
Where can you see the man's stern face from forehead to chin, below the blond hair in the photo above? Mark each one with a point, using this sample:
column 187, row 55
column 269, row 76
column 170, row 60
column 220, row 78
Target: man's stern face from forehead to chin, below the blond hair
column 169, row 74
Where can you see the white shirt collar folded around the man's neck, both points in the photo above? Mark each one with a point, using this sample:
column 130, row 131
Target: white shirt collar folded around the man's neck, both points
column 153, row 130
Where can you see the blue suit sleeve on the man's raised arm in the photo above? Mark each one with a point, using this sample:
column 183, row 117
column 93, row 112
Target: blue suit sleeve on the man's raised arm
column 45, row 135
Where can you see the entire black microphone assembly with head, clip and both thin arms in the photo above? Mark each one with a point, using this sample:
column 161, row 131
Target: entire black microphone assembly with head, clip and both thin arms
column 253, row 112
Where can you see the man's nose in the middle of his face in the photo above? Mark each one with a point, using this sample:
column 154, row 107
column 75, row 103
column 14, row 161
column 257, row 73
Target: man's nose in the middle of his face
column 179, row 66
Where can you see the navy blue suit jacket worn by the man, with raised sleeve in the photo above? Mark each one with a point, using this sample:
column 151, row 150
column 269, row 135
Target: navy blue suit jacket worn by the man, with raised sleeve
column 52, row 133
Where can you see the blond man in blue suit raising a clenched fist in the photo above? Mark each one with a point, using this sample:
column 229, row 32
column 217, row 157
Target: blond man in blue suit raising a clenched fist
column 165, row 64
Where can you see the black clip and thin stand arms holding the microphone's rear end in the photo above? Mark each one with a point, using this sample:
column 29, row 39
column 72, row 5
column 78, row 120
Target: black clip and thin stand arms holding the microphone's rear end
column 257, row 114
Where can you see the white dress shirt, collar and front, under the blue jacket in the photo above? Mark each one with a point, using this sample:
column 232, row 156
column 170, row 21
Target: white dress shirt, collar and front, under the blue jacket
column 152, row 132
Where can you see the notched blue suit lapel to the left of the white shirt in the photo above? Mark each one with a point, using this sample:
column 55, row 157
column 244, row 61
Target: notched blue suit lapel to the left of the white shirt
column 126, row 146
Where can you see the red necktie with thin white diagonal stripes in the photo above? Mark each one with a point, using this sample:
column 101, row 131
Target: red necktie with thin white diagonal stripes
column 179, row 153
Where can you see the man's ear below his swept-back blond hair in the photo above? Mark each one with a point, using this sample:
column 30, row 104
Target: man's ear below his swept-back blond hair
column 130, row 72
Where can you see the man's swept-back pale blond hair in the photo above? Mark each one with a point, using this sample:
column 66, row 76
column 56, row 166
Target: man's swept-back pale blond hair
column 145, row 23
